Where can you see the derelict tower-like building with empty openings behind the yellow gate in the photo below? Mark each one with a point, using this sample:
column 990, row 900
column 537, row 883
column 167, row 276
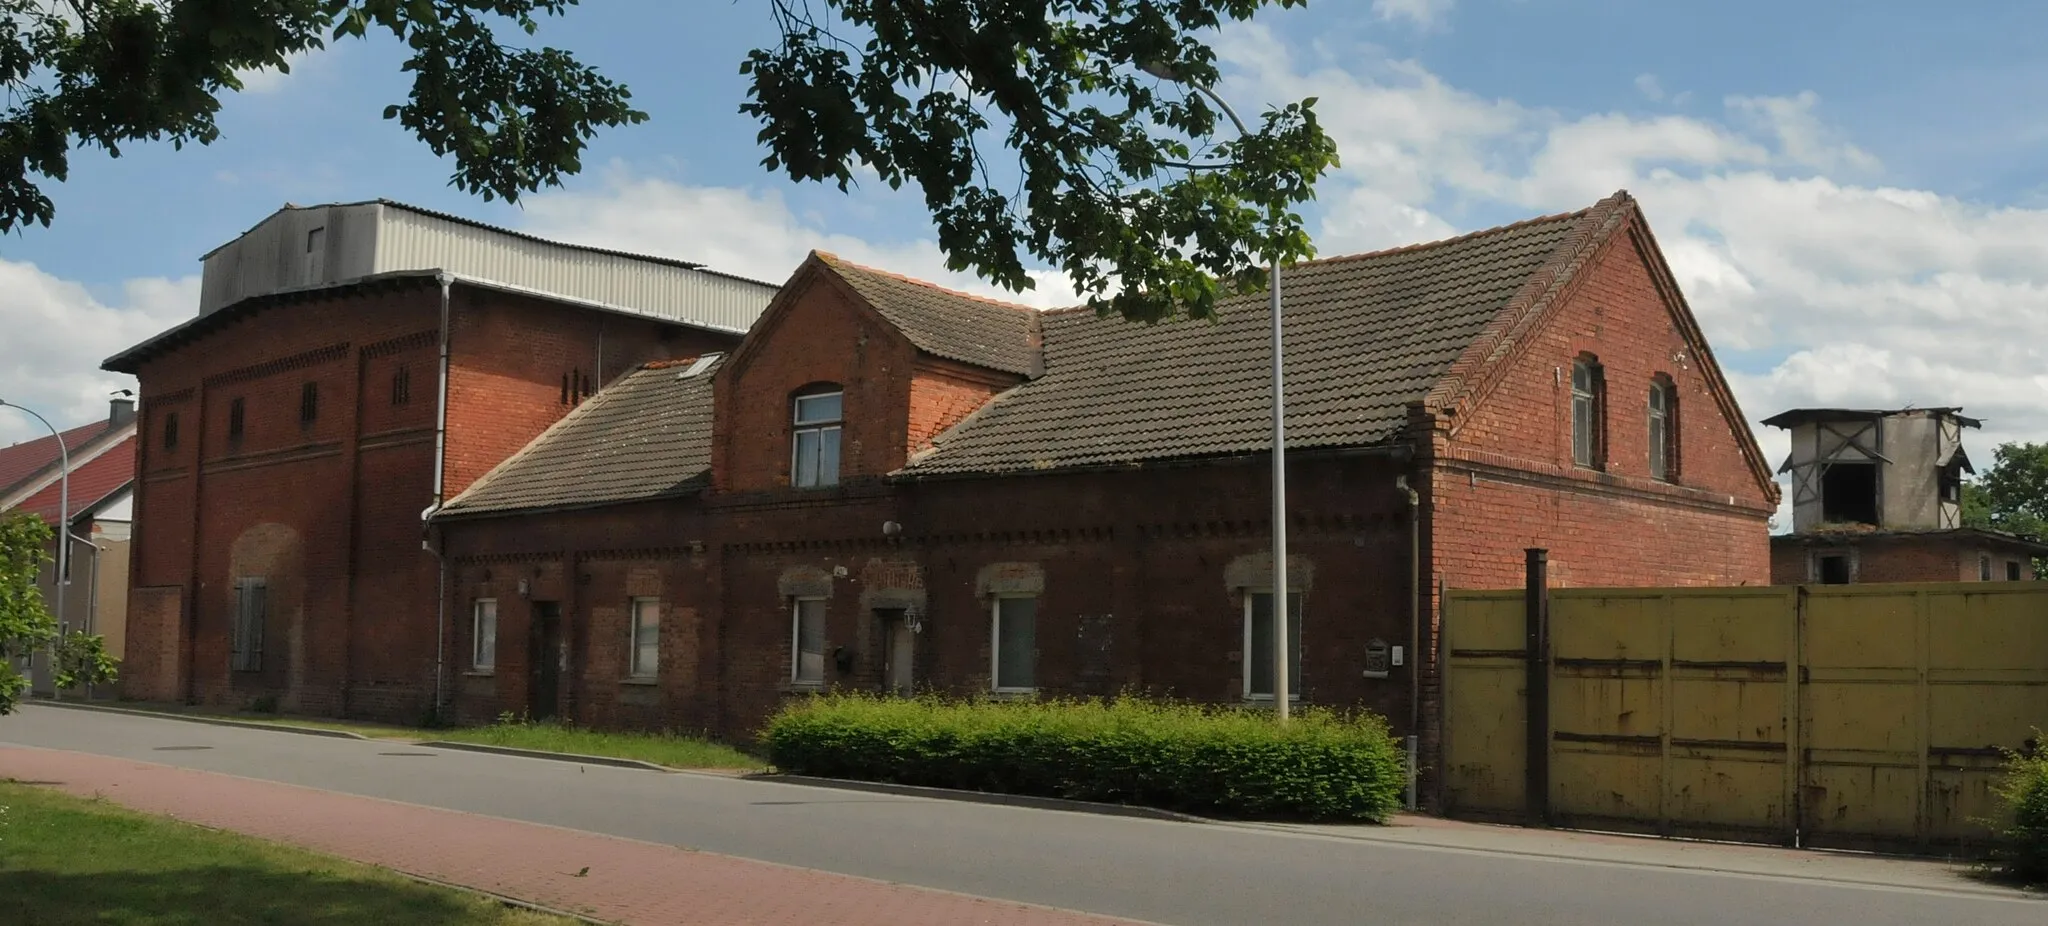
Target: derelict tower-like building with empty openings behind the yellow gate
column 1877, row 497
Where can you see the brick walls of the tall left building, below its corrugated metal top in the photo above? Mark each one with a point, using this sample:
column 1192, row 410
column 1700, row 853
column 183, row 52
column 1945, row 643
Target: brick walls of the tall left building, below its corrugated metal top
column 329, row 509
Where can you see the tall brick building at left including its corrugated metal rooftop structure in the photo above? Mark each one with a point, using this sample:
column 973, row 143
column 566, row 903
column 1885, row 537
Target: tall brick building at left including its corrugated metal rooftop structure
column 349, row 370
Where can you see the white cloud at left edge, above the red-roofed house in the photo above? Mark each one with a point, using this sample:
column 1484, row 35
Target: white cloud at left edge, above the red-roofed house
column 58, row 335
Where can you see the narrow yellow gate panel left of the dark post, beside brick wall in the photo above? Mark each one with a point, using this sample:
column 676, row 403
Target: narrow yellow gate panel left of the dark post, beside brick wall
column 1484, row 706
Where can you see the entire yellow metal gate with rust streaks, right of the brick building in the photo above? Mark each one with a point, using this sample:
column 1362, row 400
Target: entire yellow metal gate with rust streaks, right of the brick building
column 1844, row 716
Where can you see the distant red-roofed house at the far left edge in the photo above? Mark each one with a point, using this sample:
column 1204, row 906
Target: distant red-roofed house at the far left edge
column 101, row 491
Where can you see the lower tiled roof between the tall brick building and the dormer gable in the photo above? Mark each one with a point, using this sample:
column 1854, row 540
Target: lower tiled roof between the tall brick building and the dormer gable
column 642, row 437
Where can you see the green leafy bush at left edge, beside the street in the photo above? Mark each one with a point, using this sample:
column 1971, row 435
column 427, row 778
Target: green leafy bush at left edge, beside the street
column 28, row 626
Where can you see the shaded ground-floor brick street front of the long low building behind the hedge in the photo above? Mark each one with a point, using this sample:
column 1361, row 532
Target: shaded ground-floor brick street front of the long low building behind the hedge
column 1142, row 587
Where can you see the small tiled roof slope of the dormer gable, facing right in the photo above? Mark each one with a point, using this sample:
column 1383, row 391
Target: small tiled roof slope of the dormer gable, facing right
column 949, row 325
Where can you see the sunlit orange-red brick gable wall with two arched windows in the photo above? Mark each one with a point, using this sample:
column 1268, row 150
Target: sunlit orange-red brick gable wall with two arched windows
column 1504, row 480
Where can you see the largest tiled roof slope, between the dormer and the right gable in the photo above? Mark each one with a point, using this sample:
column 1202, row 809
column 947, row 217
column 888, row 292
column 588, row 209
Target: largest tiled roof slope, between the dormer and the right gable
column 1365, row 339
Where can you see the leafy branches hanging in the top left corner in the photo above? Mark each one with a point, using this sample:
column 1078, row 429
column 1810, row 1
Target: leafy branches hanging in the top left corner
column 114, row 73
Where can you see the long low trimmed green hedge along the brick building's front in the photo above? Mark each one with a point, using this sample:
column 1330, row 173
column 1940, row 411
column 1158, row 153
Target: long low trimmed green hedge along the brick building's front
column 1209, row 761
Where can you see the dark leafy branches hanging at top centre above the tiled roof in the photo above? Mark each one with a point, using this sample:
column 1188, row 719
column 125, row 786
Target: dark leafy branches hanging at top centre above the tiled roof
column 1119, row 177
